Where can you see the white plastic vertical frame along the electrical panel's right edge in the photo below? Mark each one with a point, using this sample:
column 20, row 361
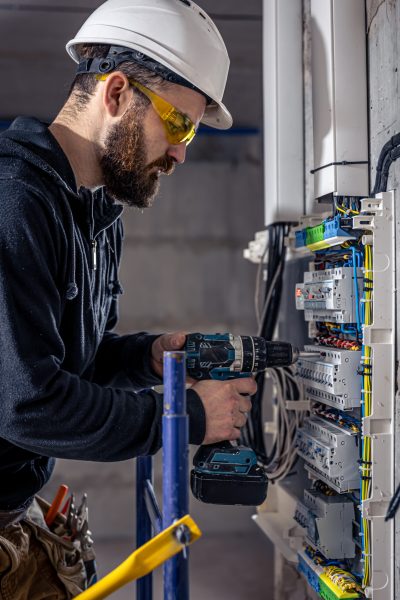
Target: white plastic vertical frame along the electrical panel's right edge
column 380, row 336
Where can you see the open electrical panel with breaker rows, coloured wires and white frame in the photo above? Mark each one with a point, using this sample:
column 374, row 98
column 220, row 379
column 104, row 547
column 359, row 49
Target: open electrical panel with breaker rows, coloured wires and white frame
column 341, row 486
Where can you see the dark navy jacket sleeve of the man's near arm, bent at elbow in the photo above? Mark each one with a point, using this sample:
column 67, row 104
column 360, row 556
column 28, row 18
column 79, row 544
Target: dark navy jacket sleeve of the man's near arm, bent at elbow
column 46, row 409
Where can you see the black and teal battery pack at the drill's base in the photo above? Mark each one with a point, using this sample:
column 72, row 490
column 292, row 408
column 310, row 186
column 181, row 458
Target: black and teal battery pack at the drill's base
column 227, row 474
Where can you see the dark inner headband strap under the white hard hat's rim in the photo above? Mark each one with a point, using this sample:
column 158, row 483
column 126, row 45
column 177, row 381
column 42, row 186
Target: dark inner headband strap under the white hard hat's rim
column 118, row 54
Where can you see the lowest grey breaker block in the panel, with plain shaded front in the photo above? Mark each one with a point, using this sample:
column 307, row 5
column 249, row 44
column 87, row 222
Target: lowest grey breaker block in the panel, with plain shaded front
column 329, row 523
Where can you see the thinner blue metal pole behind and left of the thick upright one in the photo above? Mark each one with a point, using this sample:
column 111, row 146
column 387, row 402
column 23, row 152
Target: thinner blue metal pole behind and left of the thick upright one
column 144, row 472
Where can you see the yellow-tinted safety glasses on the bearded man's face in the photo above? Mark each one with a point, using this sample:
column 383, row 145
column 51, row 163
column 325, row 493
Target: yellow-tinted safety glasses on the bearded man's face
column 178, row 127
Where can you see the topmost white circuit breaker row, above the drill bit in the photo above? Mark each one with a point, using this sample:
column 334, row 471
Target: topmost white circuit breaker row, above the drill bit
column 329, row 295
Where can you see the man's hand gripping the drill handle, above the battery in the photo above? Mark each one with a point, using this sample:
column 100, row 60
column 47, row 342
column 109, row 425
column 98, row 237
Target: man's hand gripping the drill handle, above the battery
column 226, row 409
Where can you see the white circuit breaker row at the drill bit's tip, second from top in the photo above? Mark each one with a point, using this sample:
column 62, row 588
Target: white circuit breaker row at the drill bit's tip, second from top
column 331, row 377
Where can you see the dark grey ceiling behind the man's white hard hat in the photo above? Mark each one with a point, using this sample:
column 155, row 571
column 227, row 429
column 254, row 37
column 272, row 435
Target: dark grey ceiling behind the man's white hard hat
column 36, row 71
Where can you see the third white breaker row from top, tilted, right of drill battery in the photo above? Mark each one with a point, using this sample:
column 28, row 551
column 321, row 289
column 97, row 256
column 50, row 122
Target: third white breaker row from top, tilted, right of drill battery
column 331, row 452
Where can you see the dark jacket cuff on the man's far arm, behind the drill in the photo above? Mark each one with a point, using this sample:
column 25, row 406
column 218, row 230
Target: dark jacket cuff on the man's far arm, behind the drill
column 137, row 360
